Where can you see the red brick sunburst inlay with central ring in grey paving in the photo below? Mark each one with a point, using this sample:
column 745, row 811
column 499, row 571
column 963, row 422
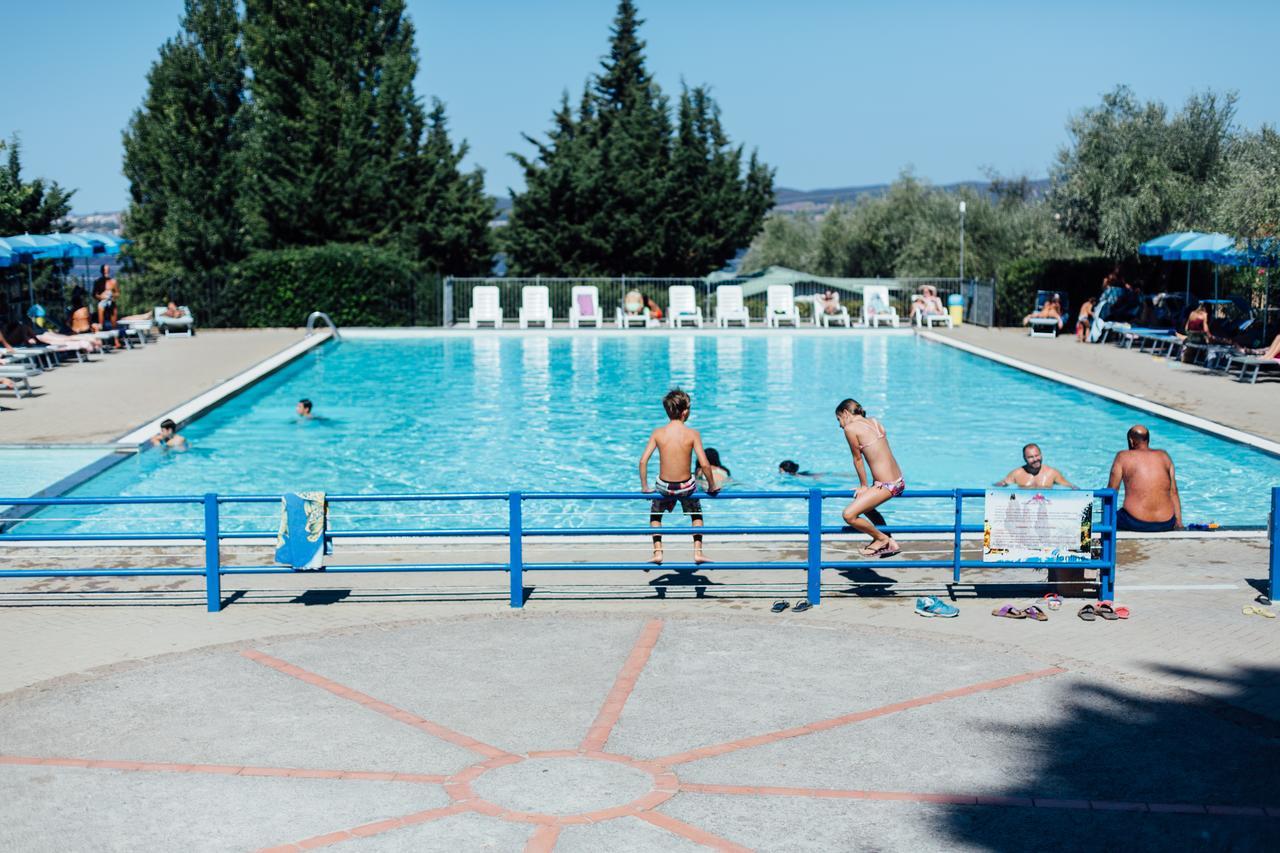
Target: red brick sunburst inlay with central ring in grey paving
column 548, row 828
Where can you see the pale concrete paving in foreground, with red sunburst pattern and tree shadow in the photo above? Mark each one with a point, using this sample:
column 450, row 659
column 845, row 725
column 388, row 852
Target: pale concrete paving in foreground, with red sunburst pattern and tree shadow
column 408, row 713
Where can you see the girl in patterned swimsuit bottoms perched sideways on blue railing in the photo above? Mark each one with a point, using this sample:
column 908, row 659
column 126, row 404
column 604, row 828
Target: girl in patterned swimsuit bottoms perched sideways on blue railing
column 868, row 443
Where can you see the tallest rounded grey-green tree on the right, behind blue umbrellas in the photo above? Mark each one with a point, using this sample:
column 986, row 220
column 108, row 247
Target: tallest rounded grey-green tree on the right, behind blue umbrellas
column 1132, row 174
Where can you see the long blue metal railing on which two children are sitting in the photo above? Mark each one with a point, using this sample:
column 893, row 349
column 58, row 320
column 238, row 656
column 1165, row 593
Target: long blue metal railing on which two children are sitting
column 515, row 533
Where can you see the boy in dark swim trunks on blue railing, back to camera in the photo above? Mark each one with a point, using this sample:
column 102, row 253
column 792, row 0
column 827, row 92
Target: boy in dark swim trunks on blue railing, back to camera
column 675, row 444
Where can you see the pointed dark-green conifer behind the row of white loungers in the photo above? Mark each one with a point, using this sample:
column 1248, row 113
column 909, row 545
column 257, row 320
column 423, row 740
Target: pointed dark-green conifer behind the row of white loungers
column 616, row 190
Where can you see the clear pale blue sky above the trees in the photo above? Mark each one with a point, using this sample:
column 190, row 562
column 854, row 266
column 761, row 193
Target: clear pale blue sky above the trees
column 833, row 94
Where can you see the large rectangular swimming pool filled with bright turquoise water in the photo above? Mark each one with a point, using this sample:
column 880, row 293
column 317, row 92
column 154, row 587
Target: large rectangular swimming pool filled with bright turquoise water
column 492, row 413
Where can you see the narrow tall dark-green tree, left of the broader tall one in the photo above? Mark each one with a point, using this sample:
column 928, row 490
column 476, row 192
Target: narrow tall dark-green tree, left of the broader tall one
column 182, row 154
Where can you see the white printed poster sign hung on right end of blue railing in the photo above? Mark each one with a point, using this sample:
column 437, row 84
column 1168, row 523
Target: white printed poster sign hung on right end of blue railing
column 1050, row 527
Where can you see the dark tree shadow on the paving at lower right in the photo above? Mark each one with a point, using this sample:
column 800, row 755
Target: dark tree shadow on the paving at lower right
column 1150, row 770
